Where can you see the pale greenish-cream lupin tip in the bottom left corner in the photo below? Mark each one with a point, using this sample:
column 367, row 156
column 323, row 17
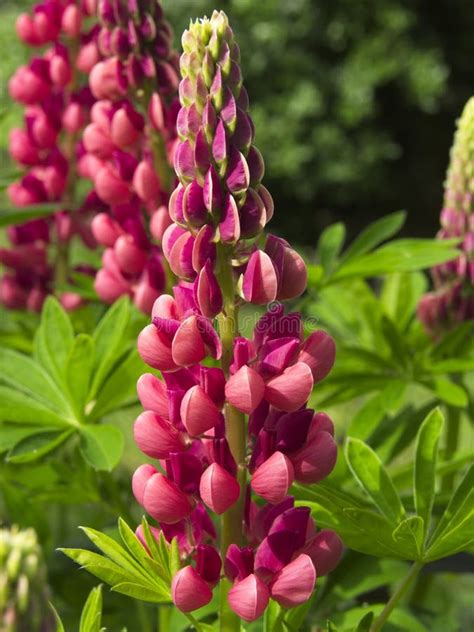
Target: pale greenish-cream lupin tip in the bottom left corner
column 23, row 589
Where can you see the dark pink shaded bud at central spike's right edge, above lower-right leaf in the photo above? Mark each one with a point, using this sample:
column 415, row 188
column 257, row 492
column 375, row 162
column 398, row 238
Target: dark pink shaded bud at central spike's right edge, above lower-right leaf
column 316, row 459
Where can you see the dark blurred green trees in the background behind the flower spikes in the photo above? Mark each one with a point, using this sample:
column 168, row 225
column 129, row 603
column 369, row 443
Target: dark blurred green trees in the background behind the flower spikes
column 354, row 101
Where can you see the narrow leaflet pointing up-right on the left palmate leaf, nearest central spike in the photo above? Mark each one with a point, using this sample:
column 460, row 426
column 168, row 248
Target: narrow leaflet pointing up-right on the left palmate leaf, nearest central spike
column 109, row 340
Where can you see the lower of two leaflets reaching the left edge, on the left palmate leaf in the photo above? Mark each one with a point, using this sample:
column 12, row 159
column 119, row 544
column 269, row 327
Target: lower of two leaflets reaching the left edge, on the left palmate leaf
column 15, row 406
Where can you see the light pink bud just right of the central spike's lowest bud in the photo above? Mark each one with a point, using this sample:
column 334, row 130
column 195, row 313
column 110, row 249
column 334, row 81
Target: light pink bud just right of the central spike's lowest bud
column 294, row 584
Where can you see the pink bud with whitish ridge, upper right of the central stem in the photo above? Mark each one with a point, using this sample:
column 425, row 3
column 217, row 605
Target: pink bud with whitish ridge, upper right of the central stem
column 259, row 283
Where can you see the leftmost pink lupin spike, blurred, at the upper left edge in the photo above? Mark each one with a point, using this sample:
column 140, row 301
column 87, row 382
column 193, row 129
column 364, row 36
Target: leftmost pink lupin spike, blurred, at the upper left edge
column 53, row 89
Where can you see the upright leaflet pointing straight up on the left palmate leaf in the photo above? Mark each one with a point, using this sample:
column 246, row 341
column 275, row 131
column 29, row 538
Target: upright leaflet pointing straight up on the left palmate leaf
column 54, row 339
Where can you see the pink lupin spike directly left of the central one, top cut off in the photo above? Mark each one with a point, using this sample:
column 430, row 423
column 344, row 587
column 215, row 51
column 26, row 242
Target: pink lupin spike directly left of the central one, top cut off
column 130, row 144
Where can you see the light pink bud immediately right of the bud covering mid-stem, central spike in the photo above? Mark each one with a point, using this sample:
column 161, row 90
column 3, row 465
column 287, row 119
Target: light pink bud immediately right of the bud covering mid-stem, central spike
column 290, row 390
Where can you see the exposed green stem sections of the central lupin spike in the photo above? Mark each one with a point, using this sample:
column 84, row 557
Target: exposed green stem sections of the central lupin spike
column 232, row 520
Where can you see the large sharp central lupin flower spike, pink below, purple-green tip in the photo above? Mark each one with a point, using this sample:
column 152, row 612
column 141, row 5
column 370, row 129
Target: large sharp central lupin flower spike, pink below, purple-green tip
column 212, row 457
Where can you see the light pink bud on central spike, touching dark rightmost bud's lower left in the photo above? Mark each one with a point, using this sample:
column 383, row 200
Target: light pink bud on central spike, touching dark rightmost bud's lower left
column 273, row 478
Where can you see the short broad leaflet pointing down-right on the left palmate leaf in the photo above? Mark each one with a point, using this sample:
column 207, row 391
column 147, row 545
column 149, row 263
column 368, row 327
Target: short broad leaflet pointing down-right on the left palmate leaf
column 101, row 446
